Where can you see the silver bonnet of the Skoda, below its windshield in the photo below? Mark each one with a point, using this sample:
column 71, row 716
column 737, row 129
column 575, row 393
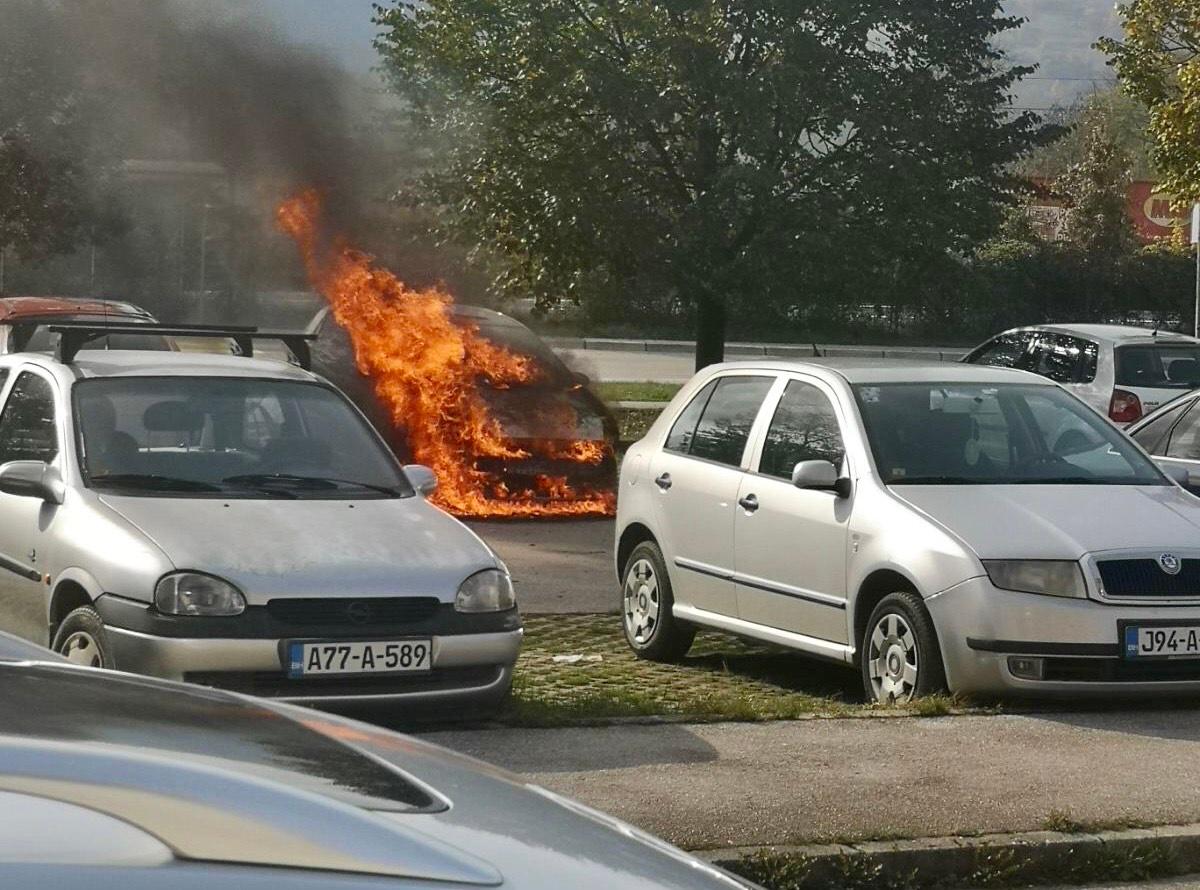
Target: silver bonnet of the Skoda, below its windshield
column 1060, row 521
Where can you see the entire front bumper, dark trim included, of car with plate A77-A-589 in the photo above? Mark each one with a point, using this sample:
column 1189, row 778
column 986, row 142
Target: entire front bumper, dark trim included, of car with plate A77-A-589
column 472, row 659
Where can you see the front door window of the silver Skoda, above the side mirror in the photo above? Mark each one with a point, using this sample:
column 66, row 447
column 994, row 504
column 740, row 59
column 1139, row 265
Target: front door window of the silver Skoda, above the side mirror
column 805, row 429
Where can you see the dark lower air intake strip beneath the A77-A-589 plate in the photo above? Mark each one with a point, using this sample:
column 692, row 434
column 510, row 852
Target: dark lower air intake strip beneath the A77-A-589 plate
column 273, row 684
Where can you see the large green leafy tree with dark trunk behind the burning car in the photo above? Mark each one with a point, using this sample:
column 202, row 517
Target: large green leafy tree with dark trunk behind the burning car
column 721, row 155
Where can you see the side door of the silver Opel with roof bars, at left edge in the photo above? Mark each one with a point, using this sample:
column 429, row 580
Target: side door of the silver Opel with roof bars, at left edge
column 28, row 432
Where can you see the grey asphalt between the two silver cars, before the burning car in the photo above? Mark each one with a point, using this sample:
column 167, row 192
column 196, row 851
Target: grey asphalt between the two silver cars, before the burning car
column 563, row 566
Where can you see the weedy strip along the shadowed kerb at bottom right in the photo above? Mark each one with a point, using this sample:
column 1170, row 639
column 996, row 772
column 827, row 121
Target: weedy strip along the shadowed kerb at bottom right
column 993, row 868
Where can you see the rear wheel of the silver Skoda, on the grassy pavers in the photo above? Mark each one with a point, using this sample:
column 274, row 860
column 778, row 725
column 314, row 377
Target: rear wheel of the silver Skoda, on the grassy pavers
column 651, row 628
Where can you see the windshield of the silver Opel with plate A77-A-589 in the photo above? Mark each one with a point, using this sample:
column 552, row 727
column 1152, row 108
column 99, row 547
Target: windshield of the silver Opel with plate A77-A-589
column 230, row 437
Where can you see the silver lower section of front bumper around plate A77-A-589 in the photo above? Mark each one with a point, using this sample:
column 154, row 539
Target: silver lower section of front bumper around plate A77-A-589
column 476, row 667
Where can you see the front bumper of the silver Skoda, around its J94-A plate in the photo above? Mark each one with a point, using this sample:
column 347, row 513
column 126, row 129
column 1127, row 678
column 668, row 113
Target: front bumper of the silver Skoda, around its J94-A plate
column 1075, row 645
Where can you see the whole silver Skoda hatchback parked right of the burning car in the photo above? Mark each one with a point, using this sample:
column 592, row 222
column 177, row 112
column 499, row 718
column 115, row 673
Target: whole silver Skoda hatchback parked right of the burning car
column 937, row 527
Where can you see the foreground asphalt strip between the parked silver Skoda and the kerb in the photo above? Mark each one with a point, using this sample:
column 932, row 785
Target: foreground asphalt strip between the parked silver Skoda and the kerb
column 733, row 785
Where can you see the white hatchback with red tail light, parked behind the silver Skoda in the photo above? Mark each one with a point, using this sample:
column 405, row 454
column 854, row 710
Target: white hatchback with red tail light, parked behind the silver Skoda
column 1125, row 374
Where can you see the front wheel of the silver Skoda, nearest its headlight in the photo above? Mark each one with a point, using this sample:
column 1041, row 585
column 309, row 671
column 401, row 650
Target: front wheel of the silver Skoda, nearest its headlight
column 901, row 657
